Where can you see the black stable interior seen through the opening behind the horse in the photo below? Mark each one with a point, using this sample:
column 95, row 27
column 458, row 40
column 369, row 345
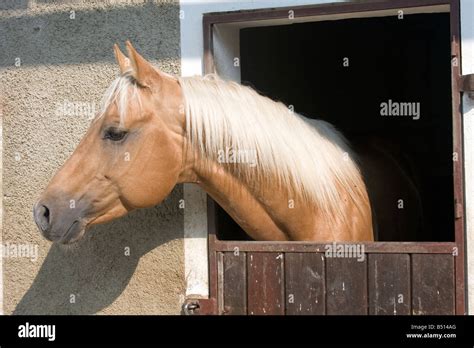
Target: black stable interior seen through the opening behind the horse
column 405, row 60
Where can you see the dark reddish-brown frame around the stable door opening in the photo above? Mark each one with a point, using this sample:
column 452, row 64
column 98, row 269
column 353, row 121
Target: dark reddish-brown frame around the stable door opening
column 458, row 246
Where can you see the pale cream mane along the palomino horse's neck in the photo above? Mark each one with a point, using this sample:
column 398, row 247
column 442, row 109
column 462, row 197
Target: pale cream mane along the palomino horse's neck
column 309, row 157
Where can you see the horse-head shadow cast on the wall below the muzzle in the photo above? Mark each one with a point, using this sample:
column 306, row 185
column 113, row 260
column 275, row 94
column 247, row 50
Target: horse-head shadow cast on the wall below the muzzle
column 96, row 270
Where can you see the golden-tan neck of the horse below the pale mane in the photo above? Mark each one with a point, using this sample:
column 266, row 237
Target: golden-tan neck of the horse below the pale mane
column 261, row 207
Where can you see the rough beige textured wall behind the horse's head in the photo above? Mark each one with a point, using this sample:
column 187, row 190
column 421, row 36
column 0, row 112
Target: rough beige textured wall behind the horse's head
column 70, row 60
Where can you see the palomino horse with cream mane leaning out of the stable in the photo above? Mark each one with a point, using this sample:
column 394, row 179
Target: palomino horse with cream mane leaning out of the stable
column 280, row 176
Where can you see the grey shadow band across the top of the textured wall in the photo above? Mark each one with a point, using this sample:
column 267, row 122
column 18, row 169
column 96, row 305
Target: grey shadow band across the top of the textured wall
column 65, row 37
